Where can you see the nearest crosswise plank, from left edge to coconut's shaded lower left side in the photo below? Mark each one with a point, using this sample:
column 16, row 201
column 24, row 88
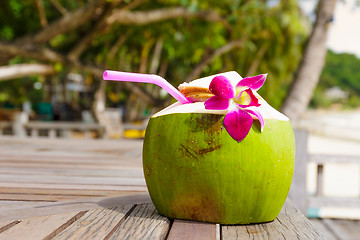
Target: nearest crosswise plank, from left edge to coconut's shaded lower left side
column 43, row 209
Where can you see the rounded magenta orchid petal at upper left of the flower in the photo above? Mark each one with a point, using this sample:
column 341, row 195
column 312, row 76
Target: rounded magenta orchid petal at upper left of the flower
column 222, row 87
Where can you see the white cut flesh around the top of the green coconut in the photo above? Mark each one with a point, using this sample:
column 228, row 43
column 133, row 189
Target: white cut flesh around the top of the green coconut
column 265, row 109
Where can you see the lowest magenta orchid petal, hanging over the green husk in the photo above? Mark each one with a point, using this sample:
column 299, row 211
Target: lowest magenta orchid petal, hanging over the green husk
column 238, row 123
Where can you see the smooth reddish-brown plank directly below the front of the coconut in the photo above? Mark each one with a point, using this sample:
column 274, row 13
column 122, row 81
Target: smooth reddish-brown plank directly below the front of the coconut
column 192, row 230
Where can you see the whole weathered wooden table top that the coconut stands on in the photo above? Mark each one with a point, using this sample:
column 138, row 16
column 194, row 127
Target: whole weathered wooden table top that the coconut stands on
column 78, row 189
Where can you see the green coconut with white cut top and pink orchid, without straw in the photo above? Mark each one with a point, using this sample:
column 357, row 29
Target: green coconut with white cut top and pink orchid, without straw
column 224, row 157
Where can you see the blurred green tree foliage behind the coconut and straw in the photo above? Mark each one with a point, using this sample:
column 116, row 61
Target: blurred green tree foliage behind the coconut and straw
column 272, row 38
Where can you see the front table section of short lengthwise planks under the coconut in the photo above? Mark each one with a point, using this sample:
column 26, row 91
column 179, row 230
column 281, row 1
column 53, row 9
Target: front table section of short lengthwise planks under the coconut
column 142, row 221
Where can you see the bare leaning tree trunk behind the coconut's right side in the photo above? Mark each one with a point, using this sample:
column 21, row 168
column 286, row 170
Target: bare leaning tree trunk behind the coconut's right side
column 311, row 65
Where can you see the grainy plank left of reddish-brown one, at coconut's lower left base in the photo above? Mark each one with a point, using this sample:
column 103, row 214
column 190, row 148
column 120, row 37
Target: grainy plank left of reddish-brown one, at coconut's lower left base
column 144, row 222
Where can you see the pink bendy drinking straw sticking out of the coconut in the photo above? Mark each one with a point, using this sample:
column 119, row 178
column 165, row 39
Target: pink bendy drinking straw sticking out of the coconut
column 145, row 78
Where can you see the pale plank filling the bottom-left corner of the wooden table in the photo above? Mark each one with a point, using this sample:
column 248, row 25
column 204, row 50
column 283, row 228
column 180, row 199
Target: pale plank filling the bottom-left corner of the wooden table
column 39, row 227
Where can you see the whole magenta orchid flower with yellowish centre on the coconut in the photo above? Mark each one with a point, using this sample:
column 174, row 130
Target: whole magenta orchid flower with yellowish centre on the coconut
column 239, row 119
